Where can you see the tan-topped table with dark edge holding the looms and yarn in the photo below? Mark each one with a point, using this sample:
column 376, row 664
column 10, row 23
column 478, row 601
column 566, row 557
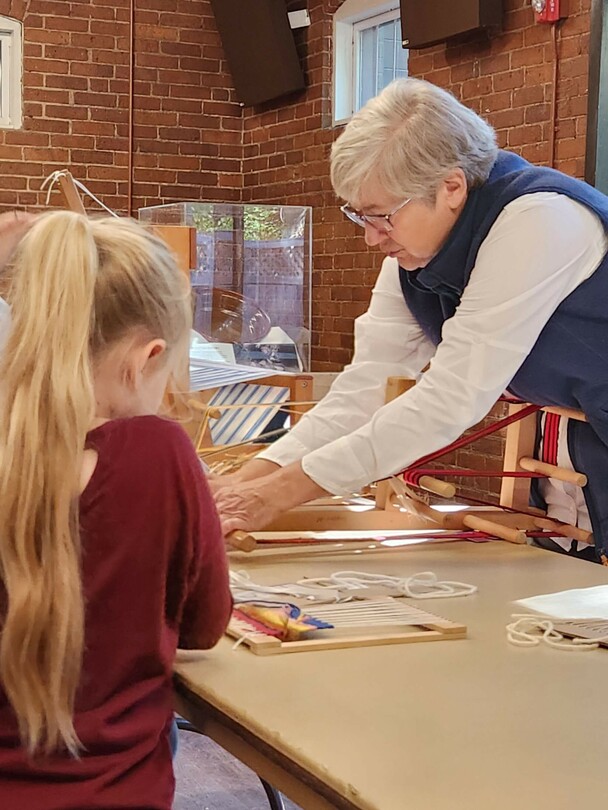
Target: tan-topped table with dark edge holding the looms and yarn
column 472, row 724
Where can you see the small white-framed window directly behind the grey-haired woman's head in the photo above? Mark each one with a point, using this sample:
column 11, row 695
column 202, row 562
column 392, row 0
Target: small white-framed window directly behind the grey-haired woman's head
column 368, row 53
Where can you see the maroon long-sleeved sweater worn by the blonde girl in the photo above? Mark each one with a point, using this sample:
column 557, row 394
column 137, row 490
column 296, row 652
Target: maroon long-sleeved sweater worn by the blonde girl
column 154, row 576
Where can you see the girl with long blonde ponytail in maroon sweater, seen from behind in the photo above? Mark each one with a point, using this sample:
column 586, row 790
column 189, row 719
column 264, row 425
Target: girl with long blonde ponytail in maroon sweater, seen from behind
column 111, row 553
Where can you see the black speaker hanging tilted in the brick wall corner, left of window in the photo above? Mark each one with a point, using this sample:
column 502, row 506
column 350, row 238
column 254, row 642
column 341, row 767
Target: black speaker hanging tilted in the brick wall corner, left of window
column 259, row 47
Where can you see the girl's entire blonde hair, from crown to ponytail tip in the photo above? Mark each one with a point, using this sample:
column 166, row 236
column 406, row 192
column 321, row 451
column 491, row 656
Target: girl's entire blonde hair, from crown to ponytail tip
column 78, row 287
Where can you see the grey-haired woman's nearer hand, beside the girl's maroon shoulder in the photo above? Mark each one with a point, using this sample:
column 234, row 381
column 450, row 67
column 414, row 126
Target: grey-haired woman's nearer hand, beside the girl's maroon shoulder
column 251, row 505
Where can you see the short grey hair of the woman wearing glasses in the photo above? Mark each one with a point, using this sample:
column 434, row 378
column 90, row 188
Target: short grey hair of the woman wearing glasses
column 408, row 139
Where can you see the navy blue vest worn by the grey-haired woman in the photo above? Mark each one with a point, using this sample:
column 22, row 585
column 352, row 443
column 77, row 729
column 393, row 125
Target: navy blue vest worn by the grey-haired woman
column 568, row 364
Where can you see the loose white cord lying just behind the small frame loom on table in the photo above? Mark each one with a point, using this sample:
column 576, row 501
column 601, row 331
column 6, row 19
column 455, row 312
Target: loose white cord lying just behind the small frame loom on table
column 423, row 585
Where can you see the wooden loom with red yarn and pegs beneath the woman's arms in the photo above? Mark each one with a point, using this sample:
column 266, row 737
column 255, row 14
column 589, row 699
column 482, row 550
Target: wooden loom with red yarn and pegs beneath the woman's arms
column 398, row 504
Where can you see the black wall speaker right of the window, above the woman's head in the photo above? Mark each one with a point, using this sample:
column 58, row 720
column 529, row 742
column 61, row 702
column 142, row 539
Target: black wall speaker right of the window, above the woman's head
column 427, row 22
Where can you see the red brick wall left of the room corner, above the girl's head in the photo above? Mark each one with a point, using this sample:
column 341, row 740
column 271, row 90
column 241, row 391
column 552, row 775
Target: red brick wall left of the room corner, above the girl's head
column 187, row 125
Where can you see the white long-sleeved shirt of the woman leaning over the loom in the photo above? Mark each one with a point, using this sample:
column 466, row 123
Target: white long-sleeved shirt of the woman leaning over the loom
column 541, row 247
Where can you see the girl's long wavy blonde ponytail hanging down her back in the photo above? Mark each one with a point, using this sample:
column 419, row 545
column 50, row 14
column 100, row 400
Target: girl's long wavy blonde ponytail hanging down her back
column 45, row 411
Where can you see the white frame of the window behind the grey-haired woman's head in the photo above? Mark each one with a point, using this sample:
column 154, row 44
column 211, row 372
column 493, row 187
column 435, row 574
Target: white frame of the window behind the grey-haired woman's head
column 352, row 17
